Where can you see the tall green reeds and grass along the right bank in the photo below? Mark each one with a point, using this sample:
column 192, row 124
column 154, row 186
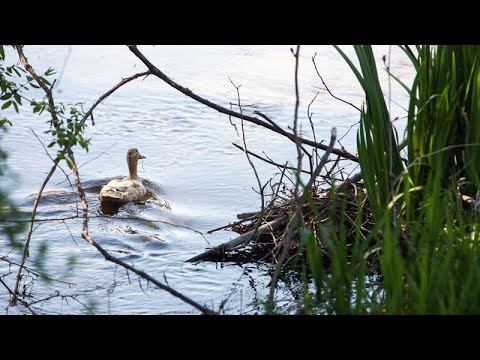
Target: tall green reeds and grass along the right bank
column 422, row 257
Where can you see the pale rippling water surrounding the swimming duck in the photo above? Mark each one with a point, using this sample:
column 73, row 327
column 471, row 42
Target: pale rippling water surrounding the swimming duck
column 197, row 173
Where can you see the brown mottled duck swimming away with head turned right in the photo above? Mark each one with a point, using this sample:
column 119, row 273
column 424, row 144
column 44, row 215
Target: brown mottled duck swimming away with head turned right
column 127, row 189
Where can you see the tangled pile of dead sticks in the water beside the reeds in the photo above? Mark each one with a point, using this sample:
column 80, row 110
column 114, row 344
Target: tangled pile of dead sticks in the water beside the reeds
column 272, row 234
